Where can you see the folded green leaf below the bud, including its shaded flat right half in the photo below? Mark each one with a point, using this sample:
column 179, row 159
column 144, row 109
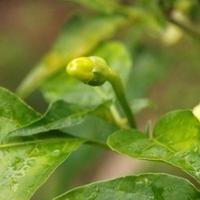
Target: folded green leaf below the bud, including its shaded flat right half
column 71, row 119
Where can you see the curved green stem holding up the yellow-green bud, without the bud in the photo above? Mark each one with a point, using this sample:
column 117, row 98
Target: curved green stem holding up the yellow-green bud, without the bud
column 118, row 88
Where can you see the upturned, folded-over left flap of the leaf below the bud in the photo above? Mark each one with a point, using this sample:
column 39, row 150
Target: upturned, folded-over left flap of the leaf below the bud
column 59, row 115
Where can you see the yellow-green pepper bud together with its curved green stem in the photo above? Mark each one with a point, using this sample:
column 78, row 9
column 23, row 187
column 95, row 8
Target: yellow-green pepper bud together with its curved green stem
column 95, row 71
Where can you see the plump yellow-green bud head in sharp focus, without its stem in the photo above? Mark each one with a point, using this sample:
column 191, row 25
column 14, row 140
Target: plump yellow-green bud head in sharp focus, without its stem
column 90, row 70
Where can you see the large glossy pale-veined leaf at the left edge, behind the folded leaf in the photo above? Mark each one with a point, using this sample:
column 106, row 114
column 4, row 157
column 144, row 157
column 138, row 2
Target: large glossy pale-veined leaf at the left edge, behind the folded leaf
column 25, row 165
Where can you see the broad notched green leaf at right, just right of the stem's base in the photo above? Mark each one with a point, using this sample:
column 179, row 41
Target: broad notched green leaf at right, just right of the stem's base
column 175, row 140
